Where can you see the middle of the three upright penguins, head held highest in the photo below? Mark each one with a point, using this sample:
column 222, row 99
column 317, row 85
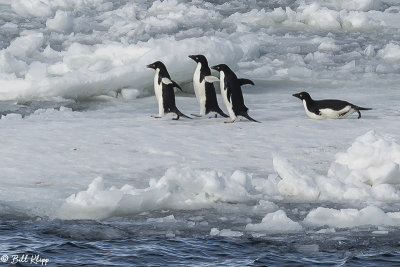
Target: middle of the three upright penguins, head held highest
column 204, row 88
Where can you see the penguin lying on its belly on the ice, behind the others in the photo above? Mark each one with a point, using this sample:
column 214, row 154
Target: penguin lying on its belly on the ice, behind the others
column 329, row 108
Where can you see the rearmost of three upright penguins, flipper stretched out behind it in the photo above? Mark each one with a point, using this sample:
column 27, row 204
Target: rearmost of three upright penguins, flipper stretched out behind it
column 232, row 93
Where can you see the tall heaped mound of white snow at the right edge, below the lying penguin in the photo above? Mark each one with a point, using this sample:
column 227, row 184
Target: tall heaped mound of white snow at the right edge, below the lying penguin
column 367, row 170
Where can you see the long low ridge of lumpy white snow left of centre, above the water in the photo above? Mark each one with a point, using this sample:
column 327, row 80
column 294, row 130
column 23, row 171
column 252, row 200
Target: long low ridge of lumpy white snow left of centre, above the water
column 177, row 189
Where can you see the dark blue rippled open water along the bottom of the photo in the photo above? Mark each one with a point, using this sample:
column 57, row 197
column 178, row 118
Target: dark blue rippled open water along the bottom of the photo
column 130, row 242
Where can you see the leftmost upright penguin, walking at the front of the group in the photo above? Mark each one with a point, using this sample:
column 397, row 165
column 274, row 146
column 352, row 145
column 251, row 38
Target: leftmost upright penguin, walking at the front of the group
column 164, row 91
